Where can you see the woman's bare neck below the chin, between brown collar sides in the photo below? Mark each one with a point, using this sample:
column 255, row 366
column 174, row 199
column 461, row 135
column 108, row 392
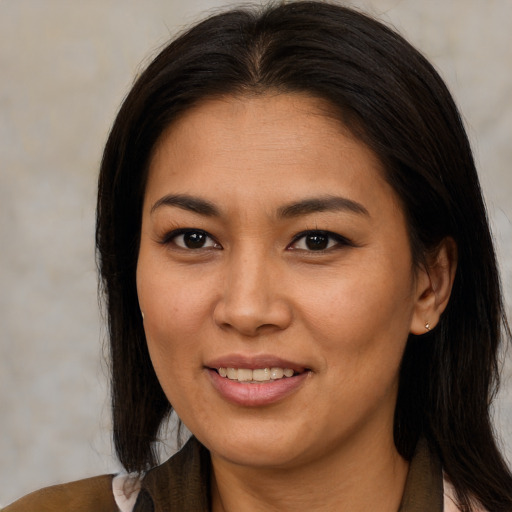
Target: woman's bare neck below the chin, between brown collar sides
column 355, row 479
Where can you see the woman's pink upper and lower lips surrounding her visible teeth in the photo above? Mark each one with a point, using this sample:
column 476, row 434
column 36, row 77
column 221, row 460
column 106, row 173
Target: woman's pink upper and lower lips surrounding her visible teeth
column 260, row 394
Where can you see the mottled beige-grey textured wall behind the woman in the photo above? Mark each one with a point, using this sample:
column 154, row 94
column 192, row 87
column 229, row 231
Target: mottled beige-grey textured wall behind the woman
column 64, row 69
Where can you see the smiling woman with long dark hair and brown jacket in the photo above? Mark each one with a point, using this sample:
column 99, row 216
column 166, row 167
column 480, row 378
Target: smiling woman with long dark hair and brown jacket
column 296, row 258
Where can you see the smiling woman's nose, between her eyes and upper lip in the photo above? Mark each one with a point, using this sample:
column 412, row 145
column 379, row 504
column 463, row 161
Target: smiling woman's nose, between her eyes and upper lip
column 252, row 301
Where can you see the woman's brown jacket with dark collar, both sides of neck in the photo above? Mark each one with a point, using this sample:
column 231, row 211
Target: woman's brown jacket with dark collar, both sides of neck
column 182, row 485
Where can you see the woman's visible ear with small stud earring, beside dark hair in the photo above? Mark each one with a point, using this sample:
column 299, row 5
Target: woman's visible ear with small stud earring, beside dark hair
column 434, row 286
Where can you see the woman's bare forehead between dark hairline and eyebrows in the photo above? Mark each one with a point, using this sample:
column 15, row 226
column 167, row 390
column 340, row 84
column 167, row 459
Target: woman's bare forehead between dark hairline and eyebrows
column 272, row 144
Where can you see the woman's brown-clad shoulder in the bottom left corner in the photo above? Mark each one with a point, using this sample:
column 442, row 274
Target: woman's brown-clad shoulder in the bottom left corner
column 89, row 495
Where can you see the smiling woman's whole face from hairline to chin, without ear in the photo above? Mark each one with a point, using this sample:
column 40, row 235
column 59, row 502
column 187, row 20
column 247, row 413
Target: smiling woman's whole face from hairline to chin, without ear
column 271, row 245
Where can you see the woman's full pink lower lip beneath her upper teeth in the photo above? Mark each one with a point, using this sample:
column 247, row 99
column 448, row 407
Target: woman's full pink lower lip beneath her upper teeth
column 254, row 395
